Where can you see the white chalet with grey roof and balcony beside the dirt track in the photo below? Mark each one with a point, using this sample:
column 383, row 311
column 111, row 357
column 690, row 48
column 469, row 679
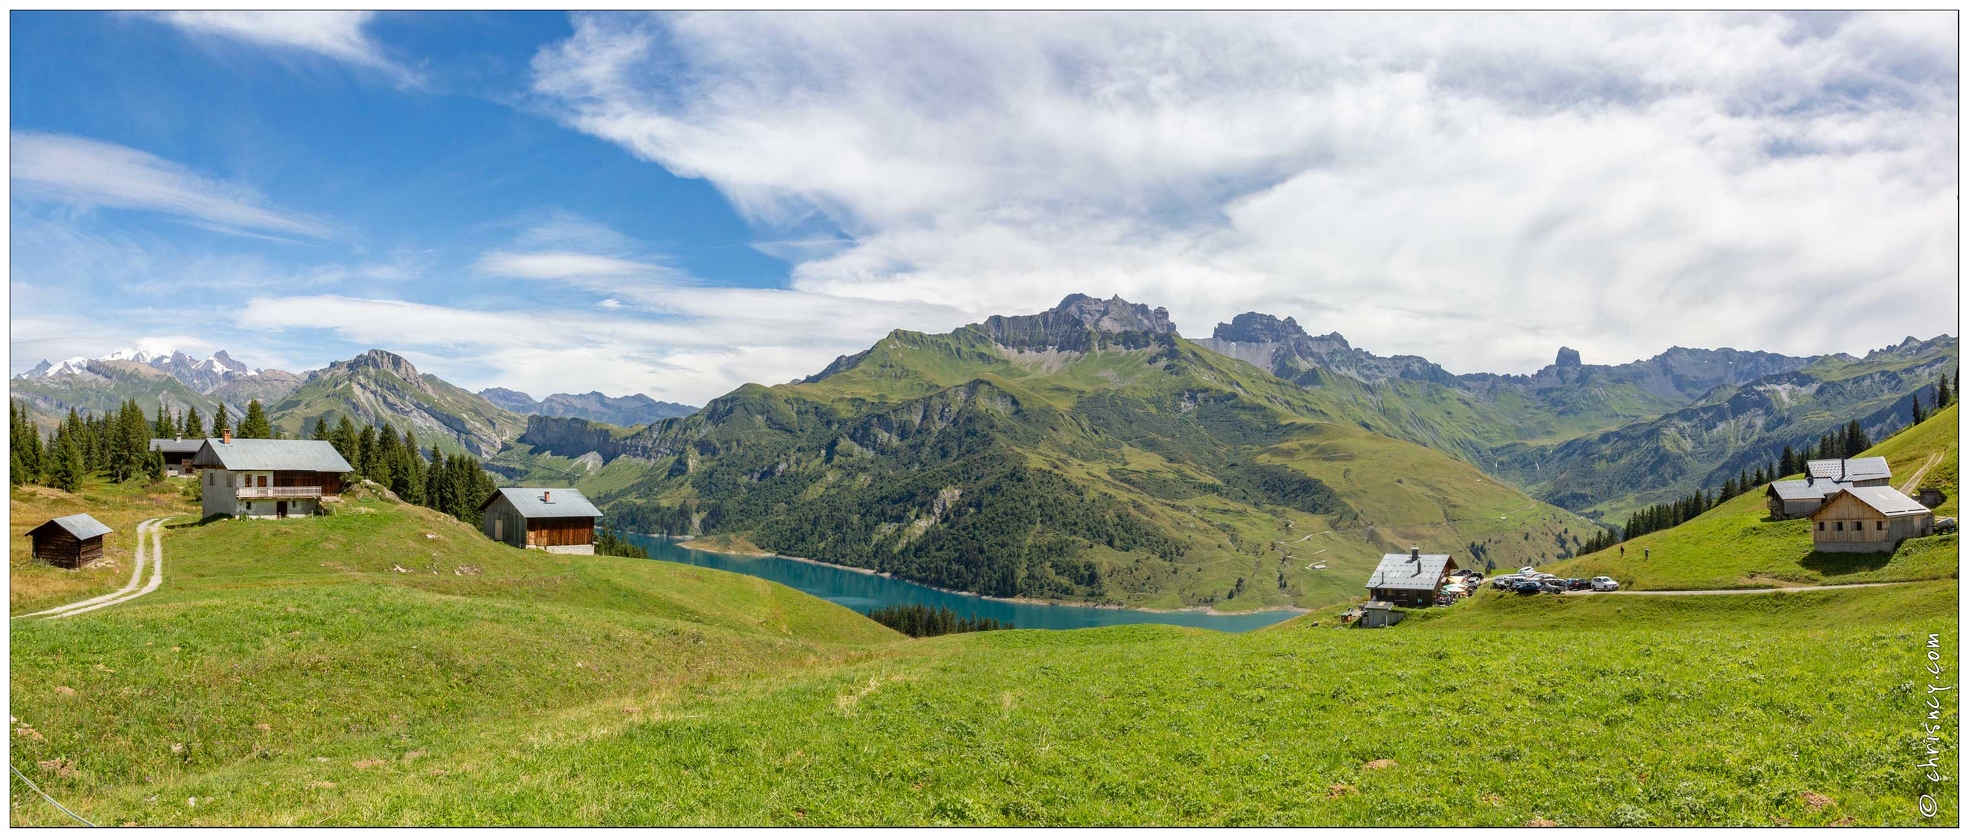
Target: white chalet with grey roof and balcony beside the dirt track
column 269, row 477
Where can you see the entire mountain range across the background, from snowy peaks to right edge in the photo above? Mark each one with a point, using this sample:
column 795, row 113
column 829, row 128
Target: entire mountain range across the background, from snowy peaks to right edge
column 1094, row 453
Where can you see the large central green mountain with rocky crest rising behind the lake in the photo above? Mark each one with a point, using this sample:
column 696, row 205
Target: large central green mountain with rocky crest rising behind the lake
column 1086, row 453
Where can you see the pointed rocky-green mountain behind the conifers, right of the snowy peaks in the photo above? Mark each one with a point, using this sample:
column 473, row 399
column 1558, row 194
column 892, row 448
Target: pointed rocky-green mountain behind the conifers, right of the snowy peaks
column 377, row 389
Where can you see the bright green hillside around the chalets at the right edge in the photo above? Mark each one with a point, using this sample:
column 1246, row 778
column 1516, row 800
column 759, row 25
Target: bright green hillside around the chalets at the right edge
column 1740, row 546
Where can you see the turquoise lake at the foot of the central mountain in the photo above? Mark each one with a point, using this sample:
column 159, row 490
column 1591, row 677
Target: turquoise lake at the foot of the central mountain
column 863, row 591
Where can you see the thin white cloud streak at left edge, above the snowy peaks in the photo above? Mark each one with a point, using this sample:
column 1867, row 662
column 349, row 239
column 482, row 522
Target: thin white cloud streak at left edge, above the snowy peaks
column 90, row 174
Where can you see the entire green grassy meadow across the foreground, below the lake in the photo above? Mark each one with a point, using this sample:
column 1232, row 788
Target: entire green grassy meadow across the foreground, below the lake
column 387, row 666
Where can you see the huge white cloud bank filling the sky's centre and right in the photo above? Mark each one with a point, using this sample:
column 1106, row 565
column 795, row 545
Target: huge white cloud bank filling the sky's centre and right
column 1470, row 188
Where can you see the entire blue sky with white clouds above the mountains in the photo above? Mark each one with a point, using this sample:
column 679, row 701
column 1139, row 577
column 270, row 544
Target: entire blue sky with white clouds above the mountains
column 684, row 204
